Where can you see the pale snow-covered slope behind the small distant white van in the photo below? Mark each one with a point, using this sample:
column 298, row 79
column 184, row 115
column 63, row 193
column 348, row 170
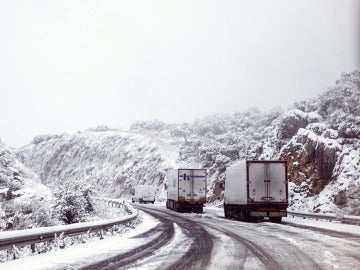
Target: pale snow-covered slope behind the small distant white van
column 113, row 162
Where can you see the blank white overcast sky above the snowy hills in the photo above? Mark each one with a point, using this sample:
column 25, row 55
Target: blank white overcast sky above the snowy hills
column 70, row 65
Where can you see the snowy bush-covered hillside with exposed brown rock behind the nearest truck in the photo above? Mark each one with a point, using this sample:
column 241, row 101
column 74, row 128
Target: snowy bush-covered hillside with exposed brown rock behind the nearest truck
column 320, row 138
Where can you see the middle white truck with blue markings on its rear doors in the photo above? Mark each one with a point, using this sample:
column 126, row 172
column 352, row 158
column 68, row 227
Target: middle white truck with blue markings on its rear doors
column 186, row 190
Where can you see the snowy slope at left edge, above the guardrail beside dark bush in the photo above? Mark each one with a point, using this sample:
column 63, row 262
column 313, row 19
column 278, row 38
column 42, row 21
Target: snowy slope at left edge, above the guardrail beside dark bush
column 24, row 201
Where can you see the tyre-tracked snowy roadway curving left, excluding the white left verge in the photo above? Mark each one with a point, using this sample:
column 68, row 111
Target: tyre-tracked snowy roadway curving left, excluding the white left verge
column 209, row 241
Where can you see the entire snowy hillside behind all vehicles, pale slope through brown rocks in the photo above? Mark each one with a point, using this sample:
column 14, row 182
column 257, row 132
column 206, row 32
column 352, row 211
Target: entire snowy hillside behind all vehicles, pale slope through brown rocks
column 320, row 139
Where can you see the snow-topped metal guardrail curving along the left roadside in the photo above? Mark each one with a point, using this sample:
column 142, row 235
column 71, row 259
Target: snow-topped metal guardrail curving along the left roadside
column 9, row 239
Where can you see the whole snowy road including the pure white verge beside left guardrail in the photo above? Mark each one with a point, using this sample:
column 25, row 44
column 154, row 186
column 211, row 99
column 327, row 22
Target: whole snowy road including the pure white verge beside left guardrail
column 169, row 240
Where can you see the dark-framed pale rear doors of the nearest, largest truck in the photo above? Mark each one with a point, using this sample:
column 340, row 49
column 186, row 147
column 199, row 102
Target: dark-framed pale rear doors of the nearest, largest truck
column 267, row 181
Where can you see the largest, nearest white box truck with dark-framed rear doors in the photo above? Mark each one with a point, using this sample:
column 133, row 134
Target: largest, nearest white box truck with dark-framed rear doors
column 256, row 189
